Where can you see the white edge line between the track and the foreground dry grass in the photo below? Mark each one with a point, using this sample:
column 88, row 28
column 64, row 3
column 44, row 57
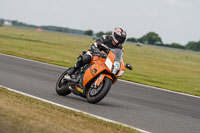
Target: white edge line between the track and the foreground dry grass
column 73, row 109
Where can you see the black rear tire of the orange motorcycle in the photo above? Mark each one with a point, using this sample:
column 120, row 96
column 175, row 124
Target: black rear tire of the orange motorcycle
column 62, row 88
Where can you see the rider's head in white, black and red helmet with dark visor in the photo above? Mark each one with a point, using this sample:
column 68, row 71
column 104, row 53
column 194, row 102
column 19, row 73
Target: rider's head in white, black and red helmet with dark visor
column 118, row 36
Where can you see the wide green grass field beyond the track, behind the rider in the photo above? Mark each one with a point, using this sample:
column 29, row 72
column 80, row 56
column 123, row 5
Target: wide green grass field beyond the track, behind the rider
column 172, row 69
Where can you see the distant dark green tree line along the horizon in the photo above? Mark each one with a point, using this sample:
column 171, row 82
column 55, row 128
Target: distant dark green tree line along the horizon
column 151, row 38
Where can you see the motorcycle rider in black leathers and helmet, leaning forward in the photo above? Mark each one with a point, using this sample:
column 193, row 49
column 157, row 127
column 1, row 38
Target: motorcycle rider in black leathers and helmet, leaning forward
column 111, row 41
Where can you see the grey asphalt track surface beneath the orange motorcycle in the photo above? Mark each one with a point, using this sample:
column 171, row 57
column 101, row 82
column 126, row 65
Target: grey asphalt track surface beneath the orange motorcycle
column 140, row 106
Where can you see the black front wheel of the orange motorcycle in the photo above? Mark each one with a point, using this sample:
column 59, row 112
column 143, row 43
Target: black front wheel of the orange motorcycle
column 105, row 87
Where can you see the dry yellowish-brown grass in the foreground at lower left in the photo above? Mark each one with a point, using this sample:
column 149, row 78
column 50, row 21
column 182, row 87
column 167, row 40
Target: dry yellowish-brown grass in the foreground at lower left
column 22, row 114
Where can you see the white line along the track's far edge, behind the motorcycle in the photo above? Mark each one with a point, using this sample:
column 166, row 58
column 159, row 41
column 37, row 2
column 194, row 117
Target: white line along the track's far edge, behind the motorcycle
column 161, row 89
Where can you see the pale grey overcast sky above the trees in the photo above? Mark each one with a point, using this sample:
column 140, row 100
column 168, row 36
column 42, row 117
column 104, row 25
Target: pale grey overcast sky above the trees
column 174, row 20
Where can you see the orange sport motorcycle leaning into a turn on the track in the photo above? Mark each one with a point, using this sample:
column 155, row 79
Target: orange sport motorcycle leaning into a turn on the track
column 93, row 81
